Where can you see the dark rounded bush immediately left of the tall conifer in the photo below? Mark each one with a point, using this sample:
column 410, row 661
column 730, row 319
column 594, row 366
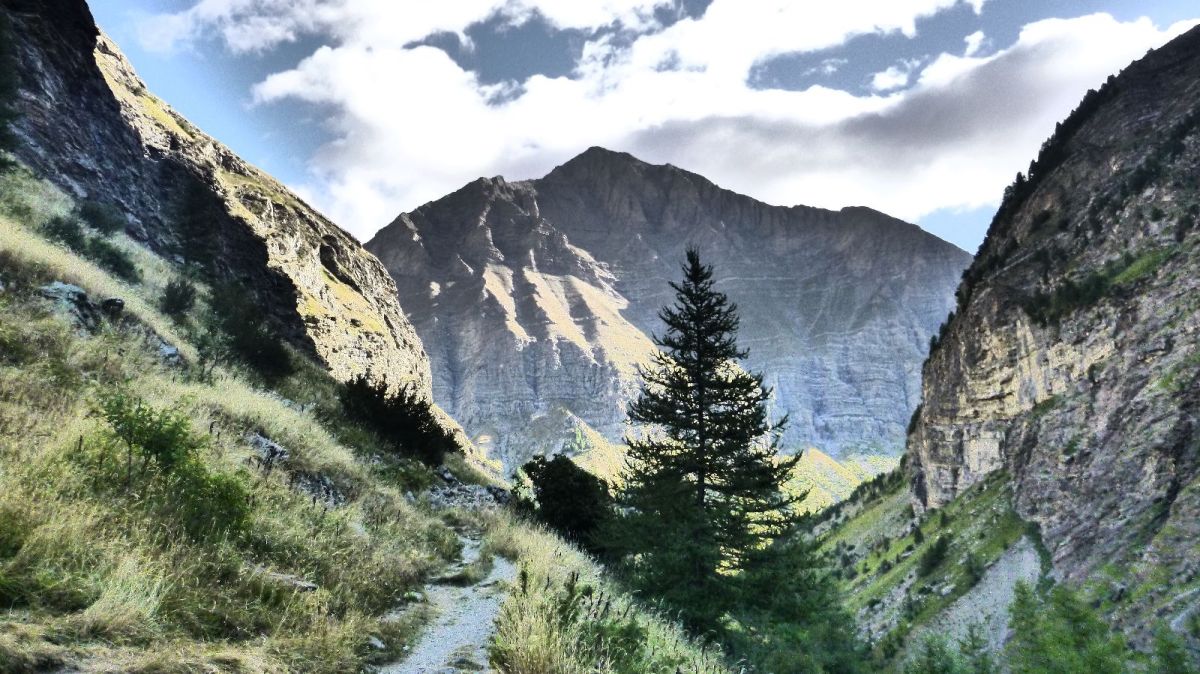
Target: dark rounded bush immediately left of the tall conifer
column 569, row 501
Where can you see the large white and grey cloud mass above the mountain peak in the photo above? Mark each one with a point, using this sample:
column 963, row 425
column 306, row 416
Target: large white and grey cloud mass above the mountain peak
column 411, row 125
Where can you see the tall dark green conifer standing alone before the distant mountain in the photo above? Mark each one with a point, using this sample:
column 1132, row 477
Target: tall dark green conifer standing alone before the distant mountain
column 703, row 485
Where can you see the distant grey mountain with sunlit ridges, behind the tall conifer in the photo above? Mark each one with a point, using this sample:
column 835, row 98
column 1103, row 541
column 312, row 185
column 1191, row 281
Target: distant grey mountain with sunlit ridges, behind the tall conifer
column 542, row 296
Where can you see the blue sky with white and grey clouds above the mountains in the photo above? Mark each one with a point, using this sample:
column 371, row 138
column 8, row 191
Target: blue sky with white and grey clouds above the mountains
column 925, row 110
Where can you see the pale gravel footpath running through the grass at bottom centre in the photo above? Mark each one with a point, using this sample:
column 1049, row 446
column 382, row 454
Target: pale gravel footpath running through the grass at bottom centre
column 457, row 641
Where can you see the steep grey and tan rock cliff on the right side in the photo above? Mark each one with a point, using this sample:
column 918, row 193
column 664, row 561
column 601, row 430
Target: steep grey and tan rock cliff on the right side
column 1073, row 362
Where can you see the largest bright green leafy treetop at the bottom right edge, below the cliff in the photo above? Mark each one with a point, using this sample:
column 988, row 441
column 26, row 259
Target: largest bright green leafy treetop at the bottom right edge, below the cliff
column 1060, row 634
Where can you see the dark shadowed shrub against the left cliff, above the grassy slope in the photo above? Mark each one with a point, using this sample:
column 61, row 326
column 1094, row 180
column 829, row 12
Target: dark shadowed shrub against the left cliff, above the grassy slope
column 239, row 333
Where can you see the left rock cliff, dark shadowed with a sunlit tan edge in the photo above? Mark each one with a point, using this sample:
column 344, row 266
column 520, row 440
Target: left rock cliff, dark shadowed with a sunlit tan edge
column 89, row 124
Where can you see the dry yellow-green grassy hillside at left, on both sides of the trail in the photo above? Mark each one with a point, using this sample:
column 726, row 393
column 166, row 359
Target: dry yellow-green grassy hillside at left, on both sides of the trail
column 111, row 580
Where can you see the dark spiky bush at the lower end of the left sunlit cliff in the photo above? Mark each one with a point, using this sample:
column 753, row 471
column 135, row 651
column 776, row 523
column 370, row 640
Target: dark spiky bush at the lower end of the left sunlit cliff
column 403, row 419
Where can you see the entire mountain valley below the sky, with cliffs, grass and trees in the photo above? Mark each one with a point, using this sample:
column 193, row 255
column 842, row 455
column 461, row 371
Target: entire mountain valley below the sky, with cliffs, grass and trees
column 236, row 440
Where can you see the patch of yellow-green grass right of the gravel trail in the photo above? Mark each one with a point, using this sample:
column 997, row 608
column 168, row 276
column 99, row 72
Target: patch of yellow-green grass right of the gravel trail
column 563, row 616
